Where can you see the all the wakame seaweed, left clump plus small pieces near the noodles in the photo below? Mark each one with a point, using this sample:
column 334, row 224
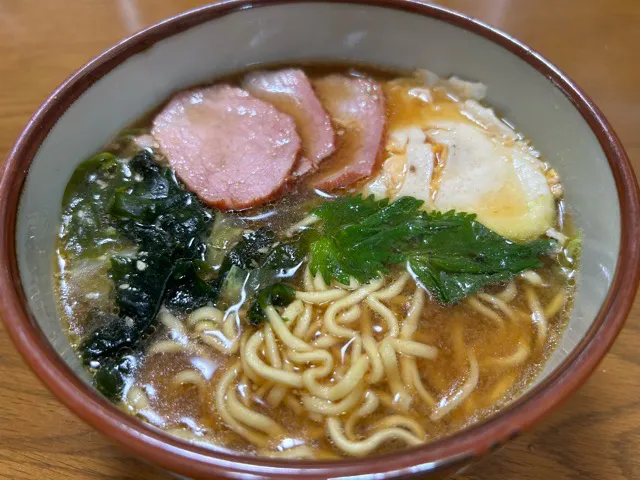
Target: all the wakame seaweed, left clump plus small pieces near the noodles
column 142, row 204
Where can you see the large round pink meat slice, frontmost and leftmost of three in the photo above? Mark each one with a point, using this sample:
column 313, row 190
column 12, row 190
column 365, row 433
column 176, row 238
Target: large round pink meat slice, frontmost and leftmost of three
column 233, row 150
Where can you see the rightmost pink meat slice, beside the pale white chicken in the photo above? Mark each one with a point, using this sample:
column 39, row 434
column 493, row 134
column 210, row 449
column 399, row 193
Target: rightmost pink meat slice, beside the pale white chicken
column 356, row 105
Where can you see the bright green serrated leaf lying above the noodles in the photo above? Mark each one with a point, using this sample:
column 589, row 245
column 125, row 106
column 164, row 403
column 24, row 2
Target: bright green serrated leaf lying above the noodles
column 451, row 254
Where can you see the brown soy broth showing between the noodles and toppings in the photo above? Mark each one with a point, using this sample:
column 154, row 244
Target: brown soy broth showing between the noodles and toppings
column 175, row 388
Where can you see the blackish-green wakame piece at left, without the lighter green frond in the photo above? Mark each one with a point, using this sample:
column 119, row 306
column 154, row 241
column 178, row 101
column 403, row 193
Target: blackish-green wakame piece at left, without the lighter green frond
column 168, row 224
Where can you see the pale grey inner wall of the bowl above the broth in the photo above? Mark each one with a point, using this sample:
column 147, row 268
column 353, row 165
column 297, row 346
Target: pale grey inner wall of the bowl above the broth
column 318, row 31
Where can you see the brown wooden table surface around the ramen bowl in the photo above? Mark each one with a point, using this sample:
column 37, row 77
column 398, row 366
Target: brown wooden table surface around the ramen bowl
column 596, row 435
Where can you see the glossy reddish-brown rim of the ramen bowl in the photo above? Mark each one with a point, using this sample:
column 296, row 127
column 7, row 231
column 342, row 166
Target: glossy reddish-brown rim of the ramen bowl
column 185, row 458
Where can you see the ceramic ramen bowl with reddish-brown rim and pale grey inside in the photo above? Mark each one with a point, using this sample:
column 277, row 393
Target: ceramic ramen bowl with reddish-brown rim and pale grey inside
column 133, row 77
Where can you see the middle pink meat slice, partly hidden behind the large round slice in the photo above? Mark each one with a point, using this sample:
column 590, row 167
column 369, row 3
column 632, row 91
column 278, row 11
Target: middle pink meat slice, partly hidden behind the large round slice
column 290, row 91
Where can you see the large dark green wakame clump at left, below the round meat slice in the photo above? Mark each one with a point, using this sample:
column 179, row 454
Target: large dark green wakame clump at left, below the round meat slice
column 143, row 203
